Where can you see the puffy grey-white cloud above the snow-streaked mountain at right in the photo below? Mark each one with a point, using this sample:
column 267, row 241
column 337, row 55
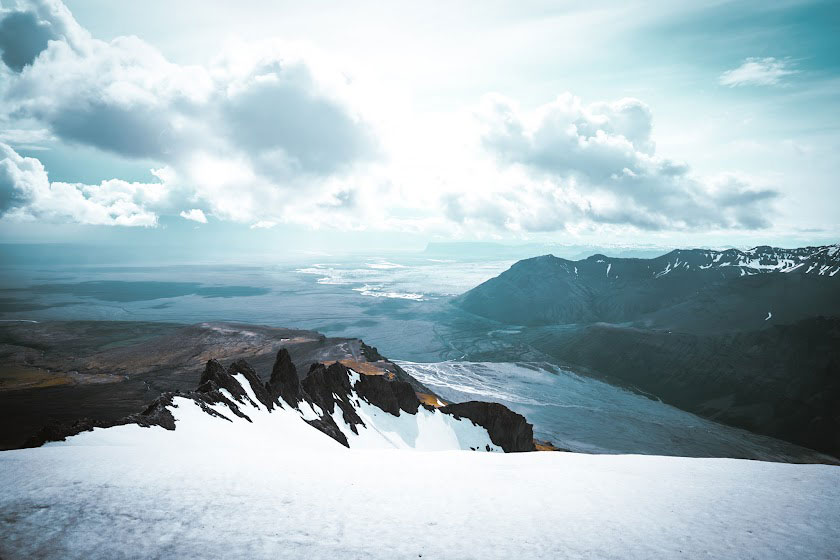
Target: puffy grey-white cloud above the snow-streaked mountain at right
column 601, row 162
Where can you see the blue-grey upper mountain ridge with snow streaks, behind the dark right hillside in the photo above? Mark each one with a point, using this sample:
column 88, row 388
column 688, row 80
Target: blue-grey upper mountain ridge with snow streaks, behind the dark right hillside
column 550, row 290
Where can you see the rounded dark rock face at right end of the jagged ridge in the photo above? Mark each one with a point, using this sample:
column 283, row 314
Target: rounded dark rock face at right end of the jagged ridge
column 507, row 429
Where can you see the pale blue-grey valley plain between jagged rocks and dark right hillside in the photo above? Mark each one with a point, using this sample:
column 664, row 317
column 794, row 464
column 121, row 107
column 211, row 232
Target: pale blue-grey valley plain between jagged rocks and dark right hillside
column 584, row 414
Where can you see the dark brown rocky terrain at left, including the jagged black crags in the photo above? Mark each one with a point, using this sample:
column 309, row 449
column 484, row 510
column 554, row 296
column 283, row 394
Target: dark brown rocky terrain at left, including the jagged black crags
column 141, row 362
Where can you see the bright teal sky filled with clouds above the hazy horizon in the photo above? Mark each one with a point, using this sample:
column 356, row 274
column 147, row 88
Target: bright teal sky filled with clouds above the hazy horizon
column 333, row 125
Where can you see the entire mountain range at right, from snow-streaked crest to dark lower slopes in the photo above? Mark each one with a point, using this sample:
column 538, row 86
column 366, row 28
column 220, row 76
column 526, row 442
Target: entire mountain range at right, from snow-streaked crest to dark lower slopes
column 749, row 338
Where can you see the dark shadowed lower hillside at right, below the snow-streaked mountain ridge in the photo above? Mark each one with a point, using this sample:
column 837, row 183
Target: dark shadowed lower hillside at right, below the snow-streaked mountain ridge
column 782, row 381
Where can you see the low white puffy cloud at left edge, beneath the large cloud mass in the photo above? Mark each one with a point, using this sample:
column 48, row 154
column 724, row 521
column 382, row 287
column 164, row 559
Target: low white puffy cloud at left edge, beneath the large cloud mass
column 27, row 194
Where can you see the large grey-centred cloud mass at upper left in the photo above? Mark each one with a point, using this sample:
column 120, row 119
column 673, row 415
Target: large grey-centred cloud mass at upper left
column 277, row 122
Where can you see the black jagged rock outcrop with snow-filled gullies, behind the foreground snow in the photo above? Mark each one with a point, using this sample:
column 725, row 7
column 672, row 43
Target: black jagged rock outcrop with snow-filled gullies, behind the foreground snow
column 228, row 393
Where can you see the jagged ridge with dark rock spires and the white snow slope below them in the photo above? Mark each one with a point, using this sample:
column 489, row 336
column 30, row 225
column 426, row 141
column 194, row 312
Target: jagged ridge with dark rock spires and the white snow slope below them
column 332, row 405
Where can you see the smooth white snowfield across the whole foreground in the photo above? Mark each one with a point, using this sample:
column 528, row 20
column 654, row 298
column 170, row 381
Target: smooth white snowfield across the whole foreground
column 100, row 498
